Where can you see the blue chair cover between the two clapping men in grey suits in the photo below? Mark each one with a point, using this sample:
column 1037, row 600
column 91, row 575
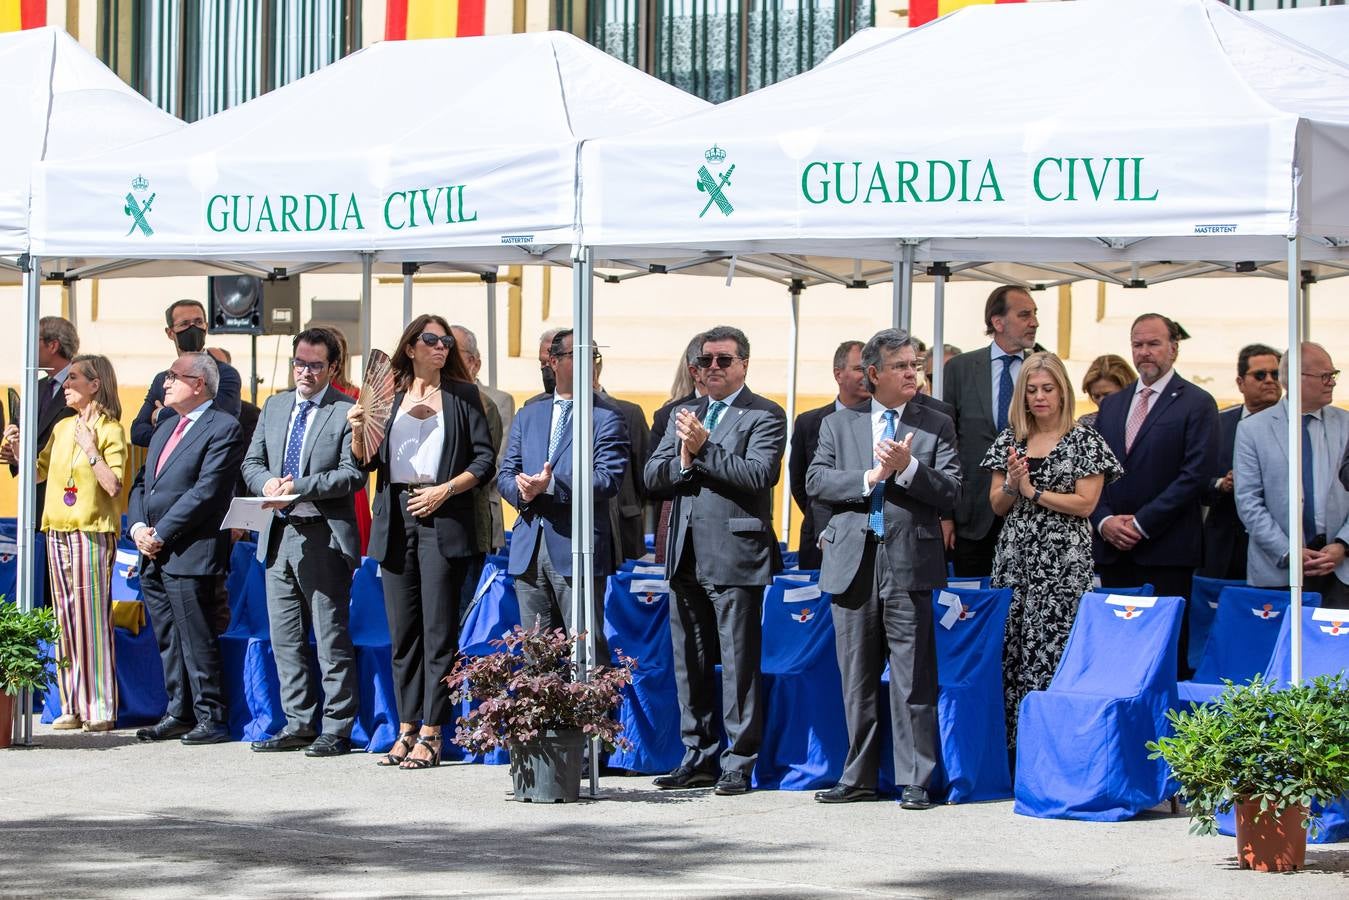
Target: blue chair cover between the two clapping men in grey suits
column 805, row 732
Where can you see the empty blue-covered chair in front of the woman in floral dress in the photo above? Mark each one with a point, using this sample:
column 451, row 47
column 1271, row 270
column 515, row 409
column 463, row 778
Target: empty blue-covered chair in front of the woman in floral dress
column 1081, row 748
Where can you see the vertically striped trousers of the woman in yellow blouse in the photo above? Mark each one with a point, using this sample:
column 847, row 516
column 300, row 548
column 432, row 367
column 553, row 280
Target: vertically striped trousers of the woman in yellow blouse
column 80, row 565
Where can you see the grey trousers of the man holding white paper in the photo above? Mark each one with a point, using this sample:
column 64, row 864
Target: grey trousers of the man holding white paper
column 310, row 584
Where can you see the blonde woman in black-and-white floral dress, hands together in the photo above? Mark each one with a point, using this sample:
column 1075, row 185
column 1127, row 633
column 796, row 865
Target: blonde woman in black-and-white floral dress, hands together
column 1047, row 478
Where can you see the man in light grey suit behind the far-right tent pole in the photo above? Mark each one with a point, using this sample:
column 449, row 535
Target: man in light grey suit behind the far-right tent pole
column 1261, row 478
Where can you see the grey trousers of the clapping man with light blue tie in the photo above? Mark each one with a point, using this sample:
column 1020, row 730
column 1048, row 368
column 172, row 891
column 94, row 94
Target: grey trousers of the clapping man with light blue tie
column 873, row 621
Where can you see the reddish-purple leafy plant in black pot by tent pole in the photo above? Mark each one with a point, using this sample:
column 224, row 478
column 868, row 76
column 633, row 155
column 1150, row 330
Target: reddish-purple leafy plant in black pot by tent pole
column 532, row 704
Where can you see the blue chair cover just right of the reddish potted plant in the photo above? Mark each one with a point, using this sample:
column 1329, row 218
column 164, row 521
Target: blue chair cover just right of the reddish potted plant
column 637, row 608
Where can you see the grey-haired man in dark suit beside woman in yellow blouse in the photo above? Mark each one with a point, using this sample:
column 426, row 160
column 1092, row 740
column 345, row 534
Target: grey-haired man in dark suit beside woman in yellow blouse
column 177, row 504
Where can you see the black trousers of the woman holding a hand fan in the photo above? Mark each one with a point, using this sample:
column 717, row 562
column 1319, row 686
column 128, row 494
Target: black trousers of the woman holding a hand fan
column 422, row 601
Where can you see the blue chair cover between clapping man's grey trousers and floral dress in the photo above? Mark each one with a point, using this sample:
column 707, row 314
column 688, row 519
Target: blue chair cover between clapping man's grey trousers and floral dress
column 973, row 764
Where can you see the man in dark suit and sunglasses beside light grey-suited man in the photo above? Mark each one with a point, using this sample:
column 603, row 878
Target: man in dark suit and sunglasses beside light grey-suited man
column 1224, row 536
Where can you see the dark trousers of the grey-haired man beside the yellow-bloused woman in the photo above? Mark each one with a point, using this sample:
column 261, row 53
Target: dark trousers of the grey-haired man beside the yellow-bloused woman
column 180, row 609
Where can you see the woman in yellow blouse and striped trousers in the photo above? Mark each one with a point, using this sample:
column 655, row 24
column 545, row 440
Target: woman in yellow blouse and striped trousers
column 83, row 465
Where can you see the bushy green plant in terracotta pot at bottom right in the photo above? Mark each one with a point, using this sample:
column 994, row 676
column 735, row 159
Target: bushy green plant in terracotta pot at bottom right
column 1270, row 752
